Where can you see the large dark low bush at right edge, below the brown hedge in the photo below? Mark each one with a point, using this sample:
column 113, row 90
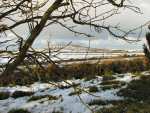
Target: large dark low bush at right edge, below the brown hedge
column 137, row 89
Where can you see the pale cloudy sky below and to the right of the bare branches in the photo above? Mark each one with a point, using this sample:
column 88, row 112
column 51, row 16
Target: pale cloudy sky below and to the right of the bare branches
column 127, row 19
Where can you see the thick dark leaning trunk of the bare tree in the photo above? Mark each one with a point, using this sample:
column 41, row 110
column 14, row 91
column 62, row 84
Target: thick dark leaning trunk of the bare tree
column 28, row 43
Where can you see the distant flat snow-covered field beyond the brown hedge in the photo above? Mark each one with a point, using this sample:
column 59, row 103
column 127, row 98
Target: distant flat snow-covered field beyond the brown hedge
column 79, row 55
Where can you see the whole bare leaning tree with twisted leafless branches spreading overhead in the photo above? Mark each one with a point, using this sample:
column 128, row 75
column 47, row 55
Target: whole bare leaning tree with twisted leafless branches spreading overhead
column 38, row 14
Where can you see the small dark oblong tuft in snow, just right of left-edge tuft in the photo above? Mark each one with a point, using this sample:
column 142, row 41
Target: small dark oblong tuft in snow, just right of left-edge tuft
column 18, row 94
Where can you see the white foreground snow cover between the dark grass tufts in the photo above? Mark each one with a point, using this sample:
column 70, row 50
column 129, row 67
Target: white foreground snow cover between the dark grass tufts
column 65, row 103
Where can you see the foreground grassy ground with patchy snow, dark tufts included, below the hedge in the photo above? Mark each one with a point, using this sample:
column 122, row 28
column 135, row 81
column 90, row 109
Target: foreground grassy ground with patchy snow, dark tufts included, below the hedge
column 69, row 96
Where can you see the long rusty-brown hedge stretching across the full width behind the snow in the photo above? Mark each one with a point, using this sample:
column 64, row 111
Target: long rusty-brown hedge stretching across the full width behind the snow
column 78, row 71
